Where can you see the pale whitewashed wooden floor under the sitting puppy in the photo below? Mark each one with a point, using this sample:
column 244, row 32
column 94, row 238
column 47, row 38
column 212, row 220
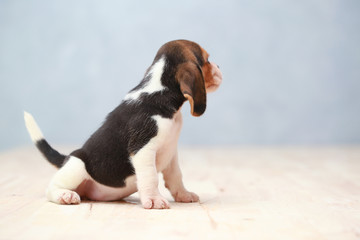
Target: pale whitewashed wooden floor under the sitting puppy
column 246, row 193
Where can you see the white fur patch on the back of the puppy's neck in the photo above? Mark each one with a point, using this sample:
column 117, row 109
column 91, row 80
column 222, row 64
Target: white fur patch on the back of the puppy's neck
column 154, row 84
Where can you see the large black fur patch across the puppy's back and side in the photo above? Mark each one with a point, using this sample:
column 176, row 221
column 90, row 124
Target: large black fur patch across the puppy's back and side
column 127, row 129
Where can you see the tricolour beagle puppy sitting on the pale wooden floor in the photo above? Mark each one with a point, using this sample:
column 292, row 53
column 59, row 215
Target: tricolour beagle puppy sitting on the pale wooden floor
column 139, row 137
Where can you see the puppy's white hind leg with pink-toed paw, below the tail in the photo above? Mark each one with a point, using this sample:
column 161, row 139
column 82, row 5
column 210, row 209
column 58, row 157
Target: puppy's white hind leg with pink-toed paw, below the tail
column 65, row 181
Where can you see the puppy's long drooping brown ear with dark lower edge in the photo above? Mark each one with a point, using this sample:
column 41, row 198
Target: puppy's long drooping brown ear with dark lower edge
column 192, row 86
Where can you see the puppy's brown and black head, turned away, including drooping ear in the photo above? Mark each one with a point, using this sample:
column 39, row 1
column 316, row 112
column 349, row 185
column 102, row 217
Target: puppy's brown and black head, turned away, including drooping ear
column 194, row 74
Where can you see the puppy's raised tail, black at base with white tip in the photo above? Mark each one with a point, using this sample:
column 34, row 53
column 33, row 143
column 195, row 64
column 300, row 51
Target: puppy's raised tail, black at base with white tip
column 53, row 156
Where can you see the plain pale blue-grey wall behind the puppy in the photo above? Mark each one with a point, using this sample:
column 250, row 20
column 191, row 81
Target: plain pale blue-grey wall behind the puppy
column 291, row 68
